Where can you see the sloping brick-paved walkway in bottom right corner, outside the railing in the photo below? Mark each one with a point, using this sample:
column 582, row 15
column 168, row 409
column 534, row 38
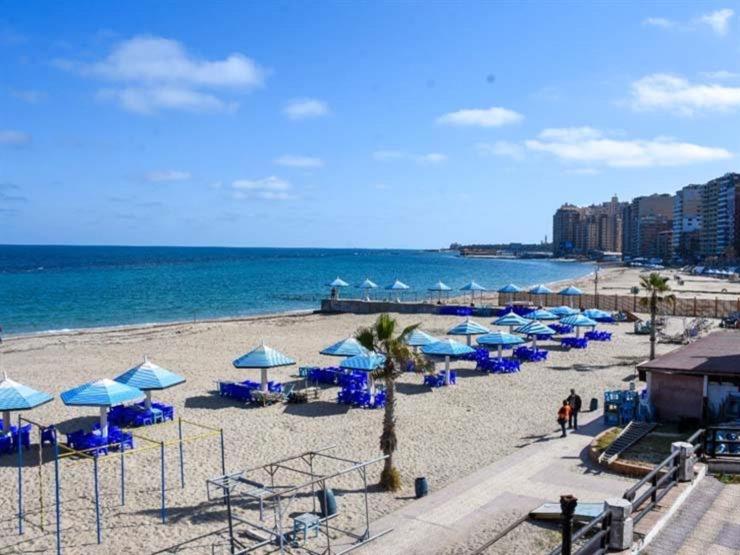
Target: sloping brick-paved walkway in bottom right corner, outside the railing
column 708, row 523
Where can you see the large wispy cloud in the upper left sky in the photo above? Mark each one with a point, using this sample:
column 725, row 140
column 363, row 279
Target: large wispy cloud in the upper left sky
column 157, row 73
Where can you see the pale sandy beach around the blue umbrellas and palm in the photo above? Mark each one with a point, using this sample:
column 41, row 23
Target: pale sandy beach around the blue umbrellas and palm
column 443, row 434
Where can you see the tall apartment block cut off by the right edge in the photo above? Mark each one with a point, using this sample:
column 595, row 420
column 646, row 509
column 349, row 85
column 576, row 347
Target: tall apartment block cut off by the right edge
column 720, row 213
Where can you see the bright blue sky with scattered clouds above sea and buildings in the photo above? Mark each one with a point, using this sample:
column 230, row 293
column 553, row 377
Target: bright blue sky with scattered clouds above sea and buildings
column 352, row 124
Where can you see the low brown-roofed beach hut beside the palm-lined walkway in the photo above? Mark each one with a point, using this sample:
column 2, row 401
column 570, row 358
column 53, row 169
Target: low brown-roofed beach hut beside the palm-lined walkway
column 698, row 381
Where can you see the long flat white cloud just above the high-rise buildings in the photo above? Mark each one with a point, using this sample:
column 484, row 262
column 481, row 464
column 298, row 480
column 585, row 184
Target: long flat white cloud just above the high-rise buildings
column 585, row 144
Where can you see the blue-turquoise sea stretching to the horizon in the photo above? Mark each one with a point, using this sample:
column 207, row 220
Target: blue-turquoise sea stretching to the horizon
column 59, row 288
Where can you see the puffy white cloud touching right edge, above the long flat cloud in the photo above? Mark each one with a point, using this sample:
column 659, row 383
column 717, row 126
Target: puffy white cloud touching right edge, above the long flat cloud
column 662, row 91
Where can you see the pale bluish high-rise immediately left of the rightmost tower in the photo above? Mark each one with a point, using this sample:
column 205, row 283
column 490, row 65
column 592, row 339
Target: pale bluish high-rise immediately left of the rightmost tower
column 686, row 236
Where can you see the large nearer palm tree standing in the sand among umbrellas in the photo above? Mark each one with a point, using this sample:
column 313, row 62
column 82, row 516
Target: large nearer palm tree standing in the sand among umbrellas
column 381, row 338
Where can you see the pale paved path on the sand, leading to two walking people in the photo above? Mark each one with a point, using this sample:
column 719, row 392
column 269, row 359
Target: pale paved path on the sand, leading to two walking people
column 540, row 472
